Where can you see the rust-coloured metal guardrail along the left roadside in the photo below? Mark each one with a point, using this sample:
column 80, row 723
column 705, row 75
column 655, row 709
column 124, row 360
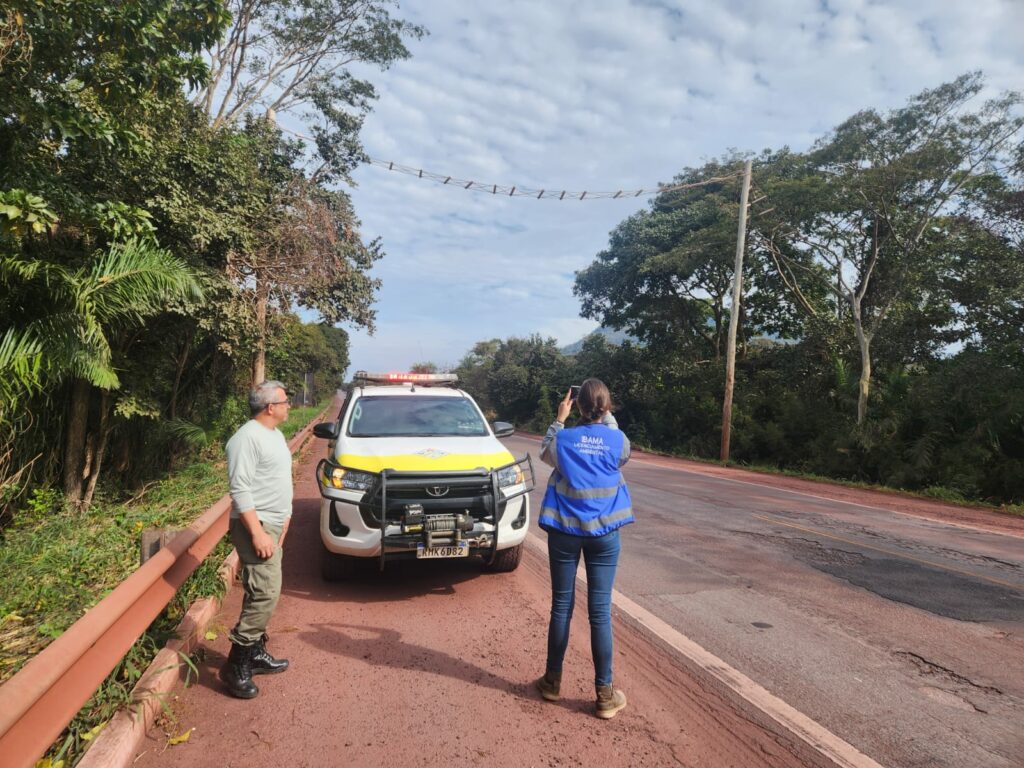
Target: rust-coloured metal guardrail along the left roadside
column 38, row 703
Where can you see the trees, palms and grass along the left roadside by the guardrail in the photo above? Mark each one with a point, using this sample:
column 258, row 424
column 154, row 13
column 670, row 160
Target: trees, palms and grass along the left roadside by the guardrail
column 163, row 246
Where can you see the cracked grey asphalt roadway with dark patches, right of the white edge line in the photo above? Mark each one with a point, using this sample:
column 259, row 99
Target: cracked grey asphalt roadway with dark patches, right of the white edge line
column 902, row 633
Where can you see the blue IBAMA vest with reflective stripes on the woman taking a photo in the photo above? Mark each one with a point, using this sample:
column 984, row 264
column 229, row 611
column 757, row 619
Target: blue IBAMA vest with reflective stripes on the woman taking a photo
column 586, row 493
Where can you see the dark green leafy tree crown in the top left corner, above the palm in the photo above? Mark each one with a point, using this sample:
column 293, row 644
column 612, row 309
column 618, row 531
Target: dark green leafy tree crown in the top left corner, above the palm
column 68, row 73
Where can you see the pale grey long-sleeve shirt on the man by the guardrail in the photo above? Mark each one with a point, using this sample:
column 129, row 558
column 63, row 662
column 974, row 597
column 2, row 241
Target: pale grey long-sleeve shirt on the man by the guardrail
column 260, row 474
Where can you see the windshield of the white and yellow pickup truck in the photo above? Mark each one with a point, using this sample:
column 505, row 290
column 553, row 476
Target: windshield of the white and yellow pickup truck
column 418, row 416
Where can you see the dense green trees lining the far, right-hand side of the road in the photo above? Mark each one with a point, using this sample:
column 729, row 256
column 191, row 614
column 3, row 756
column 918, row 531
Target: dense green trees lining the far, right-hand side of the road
column 883, row 309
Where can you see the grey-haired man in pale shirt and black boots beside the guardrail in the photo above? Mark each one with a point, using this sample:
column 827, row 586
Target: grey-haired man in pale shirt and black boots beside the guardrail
column 260, row 474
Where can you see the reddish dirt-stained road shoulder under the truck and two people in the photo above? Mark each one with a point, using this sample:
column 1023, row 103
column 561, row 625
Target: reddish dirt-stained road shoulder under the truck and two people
column 434, row 664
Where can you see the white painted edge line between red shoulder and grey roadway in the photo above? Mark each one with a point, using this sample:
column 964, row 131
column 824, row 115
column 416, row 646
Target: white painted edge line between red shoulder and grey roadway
column 799, row 727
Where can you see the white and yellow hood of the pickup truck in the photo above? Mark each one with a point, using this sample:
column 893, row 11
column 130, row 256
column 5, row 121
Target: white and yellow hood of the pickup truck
column 421, row 454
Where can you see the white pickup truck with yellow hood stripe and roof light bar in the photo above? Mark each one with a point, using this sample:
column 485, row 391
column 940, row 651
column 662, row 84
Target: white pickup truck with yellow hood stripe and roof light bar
column 415, row 472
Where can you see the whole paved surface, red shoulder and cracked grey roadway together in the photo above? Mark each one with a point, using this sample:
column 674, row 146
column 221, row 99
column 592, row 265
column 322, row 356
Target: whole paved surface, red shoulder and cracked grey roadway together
column 898, row 624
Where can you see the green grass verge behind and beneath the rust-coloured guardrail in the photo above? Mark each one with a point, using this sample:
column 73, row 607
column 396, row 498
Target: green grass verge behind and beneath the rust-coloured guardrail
column 56, row 565
